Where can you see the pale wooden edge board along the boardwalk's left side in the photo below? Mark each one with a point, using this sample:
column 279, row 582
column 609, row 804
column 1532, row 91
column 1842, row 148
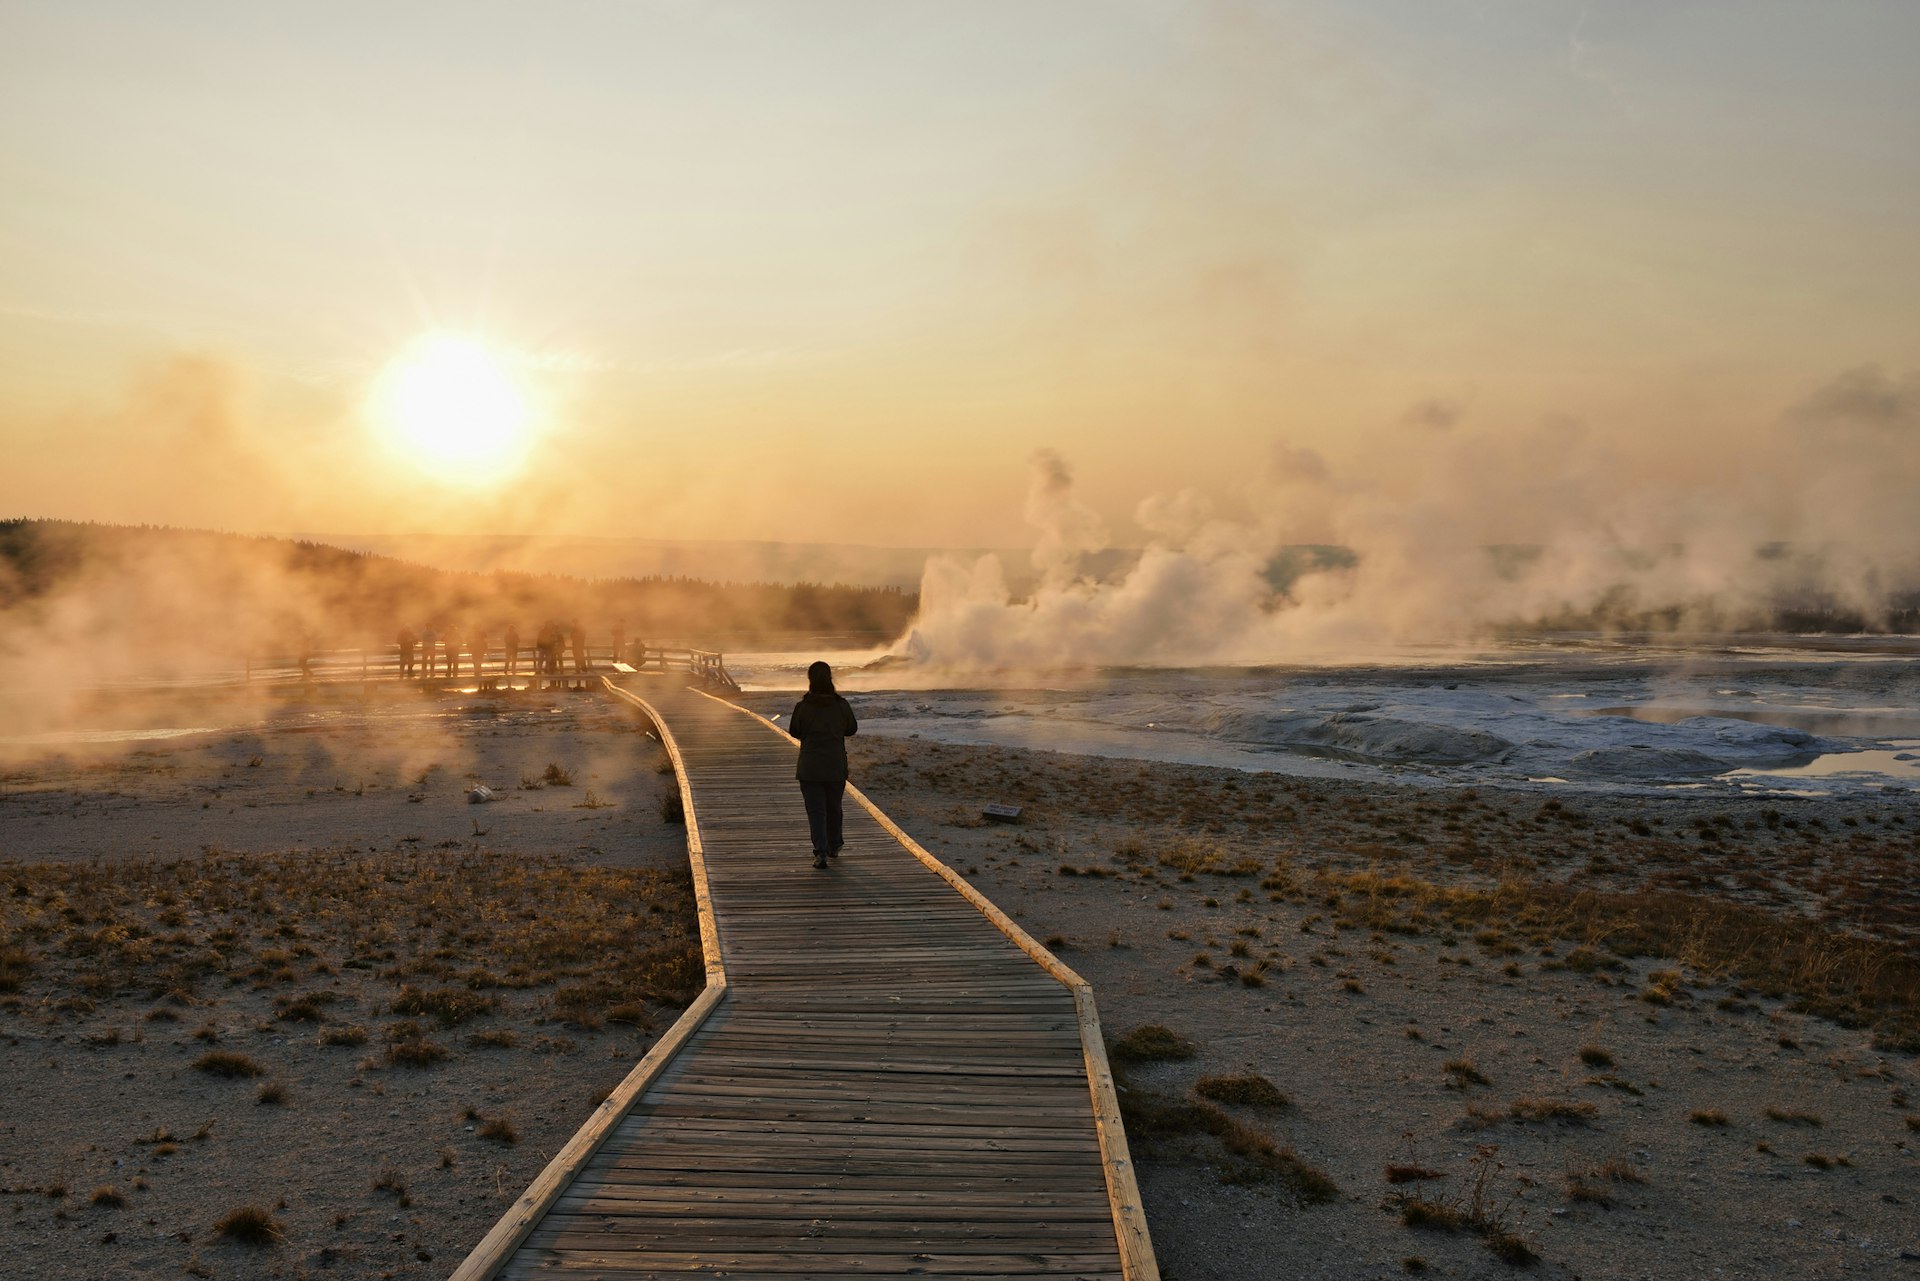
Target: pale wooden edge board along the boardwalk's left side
column 496, row 1249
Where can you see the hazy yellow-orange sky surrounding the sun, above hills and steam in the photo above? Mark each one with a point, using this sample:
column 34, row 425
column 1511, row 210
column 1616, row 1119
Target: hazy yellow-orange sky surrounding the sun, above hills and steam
column 834, row 272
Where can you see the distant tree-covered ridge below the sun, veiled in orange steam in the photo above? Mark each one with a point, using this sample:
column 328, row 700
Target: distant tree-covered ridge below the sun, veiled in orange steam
column 153, row 585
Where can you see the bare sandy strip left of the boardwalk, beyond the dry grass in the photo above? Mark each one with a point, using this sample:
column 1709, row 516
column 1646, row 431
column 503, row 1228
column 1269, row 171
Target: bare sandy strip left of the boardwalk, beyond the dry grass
column 339, row 773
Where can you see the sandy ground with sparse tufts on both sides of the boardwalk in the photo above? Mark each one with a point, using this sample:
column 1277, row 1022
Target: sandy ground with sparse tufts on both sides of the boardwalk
column 1404, row 1046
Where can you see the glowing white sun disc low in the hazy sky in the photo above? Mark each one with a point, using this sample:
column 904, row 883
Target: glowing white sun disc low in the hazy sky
column 454, row 408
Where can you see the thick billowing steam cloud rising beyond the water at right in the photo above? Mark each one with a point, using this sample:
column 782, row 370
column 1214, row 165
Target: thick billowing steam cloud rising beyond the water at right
column 1808, row 523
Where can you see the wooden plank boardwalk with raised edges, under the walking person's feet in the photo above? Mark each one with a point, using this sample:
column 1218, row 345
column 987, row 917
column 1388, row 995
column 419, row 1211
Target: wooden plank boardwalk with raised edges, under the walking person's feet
column 884, row 1076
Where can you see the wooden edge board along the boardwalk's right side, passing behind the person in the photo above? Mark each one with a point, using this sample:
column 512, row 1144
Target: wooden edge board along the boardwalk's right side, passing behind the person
column 1124, row 1192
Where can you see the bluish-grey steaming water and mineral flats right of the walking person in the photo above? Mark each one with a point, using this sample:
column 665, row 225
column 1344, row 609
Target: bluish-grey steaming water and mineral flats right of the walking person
column 1808, row 715
